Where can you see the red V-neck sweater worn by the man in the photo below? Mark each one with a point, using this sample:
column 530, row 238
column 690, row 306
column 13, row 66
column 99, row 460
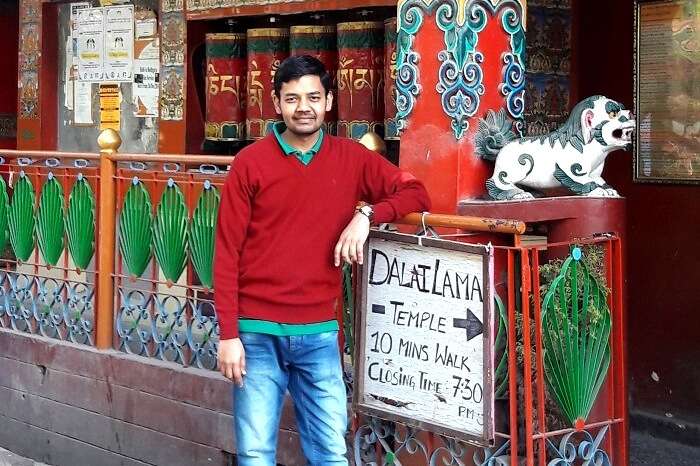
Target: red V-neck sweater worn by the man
column 279, row 222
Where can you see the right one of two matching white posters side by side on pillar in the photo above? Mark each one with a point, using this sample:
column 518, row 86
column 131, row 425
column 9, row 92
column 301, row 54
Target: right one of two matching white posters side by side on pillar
column 119, row 43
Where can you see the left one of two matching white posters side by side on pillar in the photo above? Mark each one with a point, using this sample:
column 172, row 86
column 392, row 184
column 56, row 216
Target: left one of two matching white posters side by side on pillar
column 90, row 27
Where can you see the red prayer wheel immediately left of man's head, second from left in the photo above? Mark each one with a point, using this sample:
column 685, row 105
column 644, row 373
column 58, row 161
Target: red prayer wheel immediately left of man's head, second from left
column 267, row 48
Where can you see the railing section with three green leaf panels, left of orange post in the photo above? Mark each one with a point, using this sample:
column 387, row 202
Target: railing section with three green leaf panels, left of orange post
column 47, row 241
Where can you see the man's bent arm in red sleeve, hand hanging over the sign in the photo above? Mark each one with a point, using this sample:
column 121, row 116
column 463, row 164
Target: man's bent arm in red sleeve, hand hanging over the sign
column 392, row 192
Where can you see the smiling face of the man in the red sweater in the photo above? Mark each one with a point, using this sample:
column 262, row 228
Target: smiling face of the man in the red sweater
column 303, row 104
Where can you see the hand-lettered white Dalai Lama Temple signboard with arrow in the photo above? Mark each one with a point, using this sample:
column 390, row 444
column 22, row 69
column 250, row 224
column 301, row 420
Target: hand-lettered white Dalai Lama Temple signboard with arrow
column 424, row 335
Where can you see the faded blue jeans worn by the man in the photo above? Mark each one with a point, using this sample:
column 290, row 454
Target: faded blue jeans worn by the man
column 309, row 367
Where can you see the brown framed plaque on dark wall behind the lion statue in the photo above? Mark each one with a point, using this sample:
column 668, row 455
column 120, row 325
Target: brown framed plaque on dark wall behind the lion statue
column 667, row 91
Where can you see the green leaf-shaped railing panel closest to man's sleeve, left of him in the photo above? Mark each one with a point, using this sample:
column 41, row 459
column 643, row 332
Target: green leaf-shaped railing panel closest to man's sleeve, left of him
column 202, row 231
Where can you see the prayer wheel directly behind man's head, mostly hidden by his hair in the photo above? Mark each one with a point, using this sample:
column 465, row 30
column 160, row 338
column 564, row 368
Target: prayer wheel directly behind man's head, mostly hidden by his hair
column 319, row 42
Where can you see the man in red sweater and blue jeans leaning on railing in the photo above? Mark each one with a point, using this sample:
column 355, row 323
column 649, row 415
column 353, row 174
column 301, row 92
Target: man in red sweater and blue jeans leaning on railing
column 287, row 218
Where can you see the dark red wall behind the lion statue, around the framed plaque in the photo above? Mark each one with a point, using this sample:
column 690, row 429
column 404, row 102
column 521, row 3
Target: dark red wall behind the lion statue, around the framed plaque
column 663, row 260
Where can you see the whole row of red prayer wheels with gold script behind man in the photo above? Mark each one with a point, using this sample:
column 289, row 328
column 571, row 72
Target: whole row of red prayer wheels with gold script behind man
column 359, row 56
